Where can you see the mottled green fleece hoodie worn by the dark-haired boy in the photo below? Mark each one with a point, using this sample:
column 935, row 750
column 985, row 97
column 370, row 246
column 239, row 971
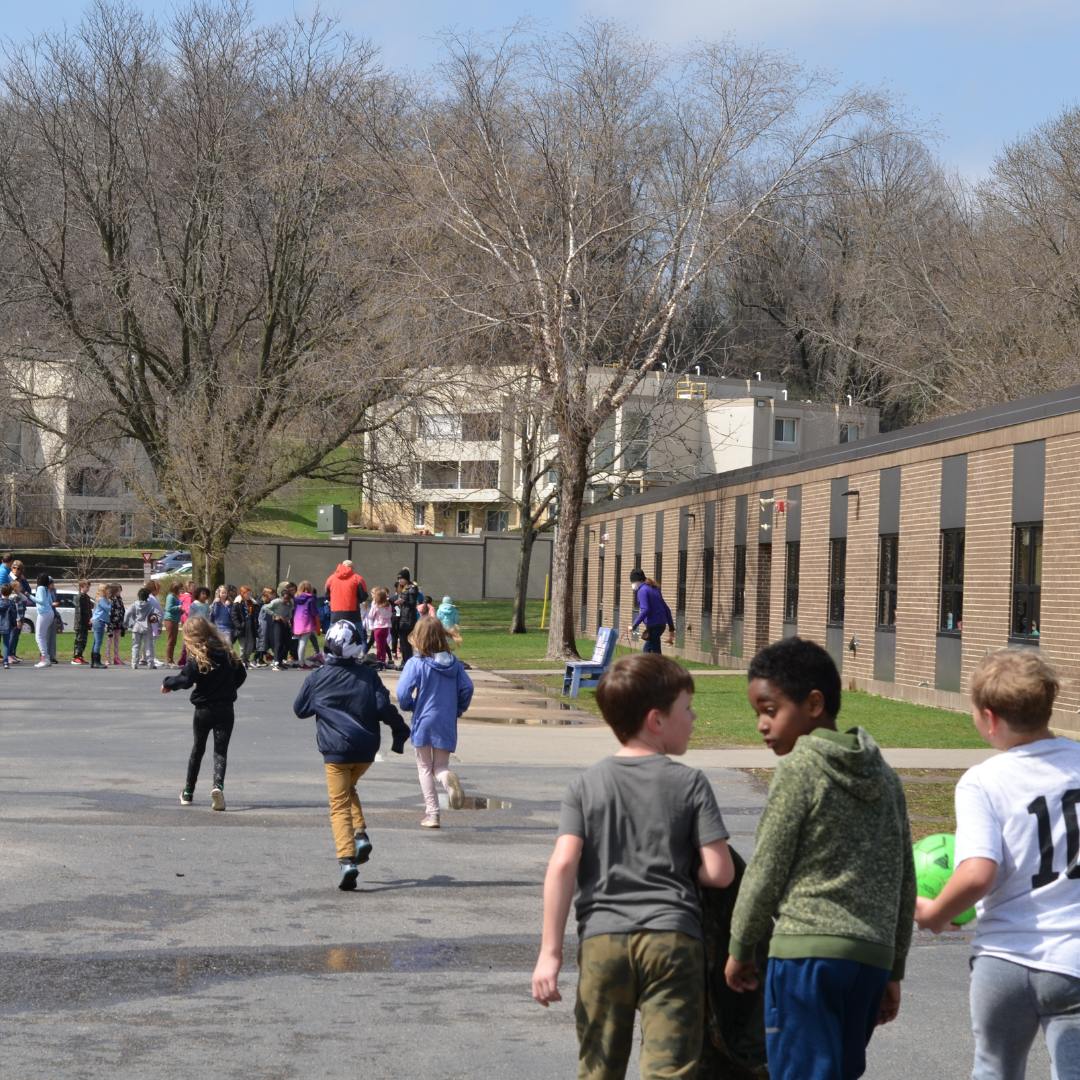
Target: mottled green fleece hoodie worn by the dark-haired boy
column 833, row 859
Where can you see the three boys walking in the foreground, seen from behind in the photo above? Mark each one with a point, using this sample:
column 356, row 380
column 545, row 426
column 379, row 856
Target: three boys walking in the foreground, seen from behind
column 831, row 887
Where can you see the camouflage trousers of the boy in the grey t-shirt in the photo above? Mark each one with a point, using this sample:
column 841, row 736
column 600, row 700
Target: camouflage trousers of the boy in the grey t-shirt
column 663, row 974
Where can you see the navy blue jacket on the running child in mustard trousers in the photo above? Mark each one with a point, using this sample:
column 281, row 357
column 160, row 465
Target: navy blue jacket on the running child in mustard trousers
column 348, row 701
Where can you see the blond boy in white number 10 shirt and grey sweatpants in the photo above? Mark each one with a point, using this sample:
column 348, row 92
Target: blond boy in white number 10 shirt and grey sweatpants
column 1018, row 843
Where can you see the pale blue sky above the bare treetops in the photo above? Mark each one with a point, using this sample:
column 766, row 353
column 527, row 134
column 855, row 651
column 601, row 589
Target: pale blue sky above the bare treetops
column 985, row 71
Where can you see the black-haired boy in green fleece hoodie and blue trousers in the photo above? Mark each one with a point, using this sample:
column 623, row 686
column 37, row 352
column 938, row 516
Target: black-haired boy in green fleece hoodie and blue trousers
column 833, row 863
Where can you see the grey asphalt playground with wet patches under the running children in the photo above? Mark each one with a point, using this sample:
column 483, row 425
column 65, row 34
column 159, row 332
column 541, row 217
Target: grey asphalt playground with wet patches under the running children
column 140, row 939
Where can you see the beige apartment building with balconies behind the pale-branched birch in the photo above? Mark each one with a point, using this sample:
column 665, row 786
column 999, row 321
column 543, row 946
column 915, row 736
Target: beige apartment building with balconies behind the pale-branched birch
column 467, row 474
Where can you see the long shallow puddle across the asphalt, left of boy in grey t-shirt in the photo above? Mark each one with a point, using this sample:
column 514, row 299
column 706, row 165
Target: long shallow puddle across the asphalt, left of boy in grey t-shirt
column 30, row 983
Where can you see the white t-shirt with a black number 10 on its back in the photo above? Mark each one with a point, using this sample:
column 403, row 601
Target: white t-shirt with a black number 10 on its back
column 1020, row 809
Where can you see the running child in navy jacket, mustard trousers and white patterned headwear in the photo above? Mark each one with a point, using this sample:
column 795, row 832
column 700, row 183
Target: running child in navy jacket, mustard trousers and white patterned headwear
column 348, row 701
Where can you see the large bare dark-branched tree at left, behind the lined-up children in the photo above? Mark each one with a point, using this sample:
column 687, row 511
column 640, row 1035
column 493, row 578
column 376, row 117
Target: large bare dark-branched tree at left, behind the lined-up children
column 195, row 253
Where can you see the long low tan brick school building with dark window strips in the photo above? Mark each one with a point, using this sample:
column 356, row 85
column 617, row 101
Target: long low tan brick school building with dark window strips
column 909, row 556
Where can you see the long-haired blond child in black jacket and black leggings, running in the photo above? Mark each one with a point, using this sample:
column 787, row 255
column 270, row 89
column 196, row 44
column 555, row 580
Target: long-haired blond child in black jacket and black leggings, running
column 215, row 674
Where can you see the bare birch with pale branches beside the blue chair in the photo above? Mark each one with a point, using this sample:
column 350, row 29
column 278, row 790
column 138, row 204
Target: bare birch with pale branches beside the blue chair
column 596, row 183
